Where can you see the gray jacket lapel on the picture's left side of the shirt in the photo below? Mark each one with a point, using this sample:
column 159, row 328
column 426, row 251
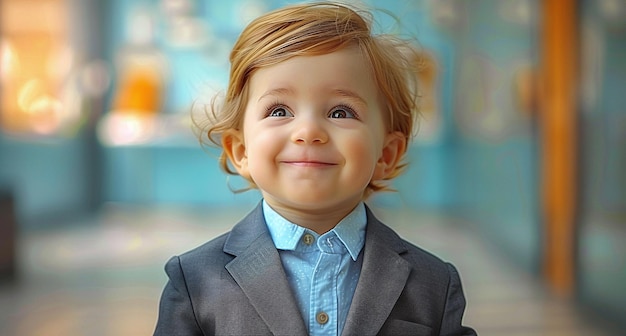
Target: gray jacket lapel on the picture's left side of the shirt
column 257, row 269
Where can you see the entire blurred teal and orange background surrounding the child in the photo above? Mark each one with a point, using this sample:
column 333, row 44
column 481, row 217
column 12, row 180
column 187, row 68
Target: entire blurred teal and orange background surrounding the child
column 517, row 176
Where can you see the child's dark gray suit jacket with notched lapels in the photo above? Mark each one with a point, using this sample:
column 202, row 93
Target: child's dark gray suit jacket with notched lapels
column 236, row 285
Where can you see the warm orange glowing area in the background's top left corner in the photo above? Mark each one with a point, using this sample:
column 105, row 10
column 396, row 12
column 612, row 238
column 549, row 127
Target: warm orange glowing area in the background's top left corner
column 37, row 63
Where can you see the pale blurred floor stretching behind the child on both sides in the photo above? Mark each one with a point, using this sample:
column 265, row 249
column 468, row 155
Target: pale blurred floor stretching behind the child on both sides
column 104, row 275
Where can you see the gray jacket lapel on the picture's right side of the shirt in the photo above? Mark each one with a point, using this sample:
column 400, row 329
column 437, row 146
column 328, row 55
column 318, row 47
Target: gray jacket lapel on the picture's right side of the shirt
column 383, row 277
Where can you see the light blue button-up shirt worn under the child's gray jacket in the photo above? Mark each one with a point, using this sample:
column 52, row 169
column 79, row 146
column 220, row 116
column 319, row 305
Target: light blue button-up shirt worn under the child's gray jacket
column 323, row 270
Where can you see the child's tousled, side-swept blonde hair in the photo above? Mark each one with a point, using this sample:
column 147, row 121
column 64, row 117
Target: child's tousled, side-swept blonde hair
column 316, row 29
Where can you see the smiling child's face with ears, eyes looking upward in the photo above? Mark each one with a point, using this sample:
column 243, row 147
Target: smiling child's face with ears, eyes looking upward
column 313, row 135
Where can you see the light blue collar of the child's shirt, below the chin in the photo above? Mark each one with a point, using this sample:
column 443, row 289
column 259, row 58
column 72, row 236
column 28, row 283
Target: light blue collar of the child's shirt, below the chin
column 350, row 230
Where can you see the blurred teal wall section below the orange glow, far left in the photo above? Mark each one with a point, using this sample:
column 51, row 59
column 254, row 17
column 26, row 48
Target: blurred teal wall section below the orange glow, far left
column 50, row 180
